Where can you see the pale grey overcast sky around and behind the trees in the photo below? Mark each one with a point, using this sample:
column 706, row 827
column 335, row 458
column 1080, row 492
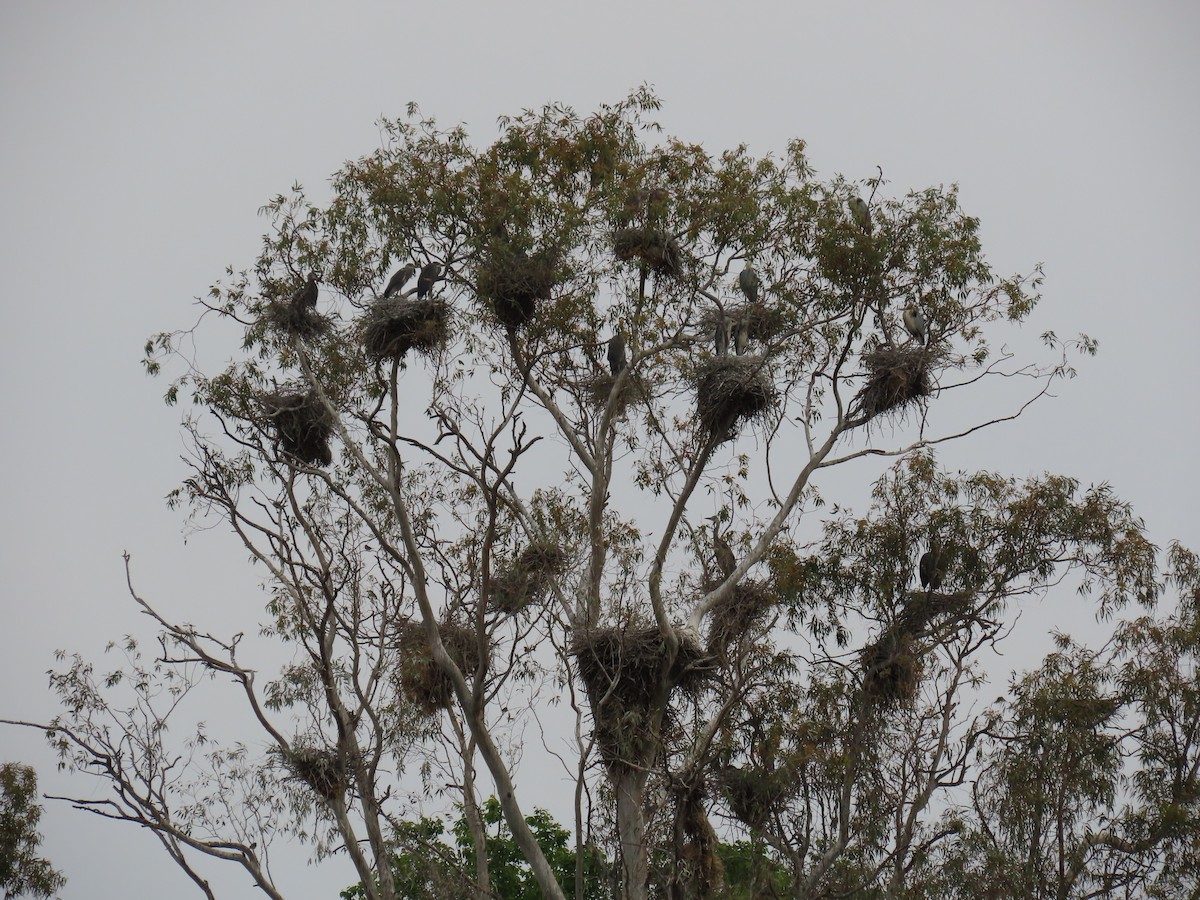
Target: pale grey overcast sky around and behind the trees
column 140, row 139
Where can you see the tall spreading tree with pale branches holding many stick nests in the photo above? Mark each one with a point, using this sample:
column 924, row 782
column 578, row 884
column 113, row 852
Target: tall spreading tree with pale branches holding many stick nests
column 461, row 513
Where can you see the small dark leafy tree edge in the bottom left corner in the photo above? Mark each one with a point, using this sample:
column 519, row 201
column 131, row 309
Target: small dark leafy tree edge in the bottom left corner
column 22, row 872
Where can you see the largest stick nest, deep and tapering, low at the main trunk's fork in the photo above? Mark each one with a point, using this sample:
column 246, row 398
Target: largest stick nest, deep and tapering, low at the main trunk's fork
column 621, row 670
